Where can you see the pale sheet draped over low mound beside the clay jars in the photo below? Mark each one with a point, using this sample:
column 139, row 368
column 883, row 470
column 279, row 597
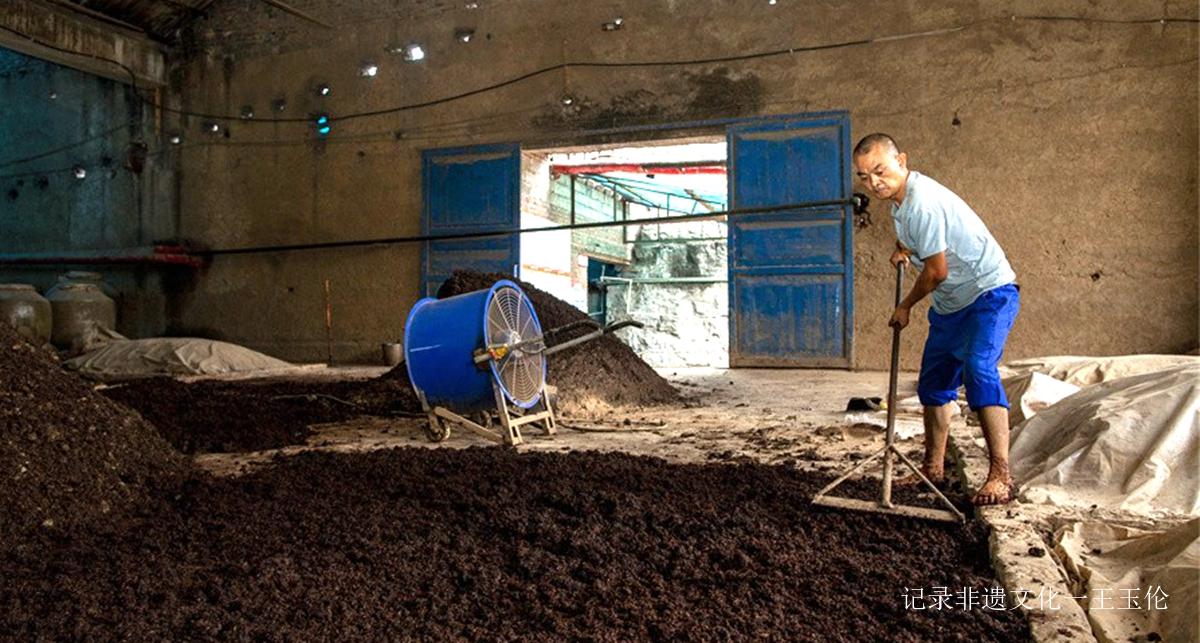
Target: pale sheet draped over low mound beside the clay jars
column 131, row 359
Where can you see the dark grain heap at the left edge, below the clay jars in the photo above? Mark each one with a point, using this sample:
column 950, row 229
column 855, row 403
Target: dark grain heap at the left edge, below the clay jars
column 68, row 455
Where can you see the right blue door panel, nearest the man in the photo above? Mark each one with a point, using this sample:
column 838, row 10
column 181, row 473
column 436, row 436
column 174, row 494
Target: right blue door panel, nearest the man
column 791, row 272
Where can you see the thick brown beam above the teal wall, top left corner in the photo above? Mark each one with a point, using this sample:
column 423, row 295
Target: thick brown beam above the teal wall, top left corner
column 70, row 39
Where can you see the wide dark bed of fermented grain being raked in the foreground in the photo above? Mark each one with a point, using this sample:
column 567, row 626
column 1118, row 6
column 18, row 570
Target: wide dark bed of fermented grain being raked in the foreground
column 502, row 545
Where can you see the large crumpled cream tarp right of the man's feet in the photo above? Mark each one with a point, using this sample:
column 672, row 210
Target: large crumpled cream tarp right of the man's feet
column 1129, row 444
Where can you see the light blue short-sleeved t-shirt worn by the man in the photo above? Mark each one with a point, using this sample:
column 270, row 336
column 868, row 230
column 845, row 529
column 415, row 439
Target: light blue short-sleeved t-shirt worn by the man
column 931, row 220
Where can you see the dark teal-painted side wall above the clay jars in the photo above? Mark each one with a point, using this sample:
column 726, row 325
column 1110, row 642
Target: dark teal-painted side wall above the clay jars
column 88, row 122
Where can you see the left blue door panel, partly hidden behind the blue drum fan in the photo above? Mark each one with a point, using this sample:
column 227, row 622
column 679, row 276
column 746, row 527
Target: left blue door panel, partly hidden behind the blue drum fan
column 471, row 190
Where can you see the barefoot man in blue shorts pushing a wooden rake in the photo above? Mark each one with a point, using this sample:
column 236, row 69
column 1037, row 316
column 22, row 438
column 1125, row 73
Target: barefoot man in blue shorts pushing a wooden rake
column 975, row 305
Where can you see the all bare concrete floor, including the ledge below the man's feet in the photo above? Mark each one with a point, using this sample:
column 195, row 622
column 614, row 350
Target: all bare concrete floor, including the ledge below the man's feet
column 776, row 417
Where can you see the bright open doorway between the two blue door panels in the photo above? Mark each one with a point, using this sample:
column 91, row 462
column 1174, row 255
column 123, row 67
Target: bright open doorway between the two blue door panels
column 673, row 278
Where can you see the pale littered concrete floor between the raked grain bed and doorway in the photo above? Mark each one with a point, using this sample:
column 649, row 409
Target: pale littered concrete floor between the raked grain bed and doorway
column 769, row 416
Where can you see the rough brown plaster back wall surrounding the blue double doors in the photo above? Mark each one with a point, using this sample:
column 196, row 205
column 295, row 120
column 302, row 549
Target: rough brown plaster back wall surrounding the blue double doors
column 1076, row 142
